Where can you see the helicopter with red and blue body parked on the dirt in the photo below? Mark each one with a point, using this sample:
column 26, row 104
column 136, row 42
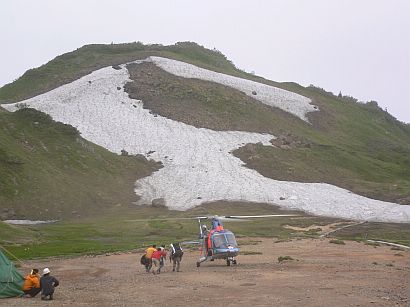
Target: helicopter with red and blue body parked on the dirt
column 218, row 242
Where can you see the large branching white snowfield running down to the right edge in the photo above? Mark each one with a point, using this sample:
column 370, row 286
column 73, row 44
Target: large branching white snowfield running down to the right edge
column 198, row 164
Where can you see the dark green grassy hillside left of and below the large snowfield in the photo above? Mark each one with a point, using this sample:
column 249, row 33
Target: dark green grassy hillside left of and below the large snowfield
column 47, row 171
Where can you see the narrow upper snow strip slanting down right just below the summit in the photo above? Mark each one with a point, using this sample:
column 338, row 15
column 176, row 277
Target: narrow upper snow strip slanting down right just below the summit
column 293, row 103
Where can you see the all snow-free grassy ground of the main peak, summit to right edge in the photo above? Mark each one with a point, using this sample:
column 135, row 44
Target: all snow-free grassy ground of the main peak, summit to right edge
column 351, row 145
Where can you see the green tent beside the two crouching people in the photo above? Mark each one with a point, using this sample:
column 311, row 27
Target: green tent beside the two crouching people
column 11, row 281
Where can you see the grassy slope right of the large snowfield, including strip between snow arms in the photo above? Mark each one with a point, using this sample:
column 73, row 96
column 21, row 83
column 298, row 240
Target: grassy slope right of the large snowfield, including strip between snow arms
column 356, row 146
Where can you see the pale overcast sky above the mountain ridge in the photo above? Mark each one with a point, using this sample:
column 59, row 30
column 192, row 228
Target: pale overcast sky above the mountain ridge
column 358, row 47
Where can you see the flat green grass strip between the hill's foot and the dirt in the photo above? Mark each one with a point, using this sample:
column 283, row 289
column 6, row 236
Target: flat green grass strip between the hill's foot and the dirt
column 116, row 230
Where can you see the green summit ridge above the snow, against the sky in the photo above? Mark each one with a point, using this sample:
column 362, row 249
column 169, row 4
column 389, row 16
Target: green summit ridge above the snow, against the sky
column 73, row 65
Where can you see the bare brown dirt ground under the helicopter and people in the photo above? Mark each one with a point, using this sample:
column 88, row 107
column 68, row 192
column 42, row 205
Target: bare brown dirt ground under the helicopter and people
column 321, row 274
